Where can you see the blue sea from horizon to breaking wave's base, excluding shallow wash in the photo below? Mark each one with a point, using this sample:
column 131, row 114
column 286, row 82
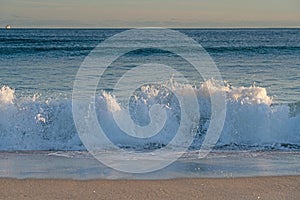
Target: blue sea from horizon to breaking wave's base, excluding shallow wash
column 260, row 67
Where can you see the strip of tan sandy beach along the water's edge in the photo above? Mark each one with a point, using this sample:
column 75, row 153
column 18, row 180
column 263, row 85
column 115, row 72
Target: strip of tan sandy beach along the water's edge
column 284, row 187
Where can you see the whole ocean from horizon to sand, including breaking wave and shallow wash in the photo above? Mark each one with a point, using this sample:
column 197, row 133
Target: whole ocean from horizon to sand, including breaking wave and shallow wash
column 260, row 69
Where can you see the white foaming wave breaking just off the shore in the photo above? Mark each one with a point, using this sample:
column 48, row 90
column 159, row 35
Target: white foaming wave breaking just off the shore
column 252, row 121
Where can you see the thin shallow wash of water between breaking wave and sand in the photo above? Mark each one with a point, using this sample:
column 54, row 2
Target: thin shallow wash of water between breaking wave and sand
column 81, row 165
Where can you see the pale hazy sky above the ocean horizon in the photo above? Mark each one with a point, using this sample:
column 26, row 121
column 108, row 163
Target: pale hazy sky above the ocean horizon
column 150, row 13
